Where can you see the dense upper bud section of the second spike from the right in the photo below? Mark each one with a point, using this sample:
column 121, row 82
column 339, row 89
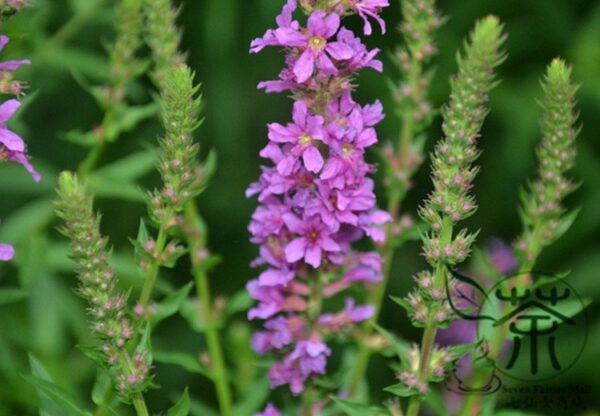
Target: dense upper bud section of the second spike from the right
column 452, row 160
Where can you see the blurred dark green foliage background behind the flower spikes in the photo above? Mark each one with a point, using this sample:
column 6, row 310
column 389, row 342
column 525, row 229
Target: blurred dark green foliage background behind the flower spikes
column 65, row 40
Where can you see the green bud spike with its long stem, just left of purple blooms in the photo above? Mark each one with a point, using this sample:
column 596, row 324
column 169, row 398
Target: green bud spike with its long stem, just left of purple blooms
column 184, row 177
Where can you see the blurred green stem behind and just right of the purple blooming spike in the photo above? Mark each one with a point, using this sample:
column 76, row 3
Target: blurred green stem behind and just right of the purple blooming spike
column 387, row 250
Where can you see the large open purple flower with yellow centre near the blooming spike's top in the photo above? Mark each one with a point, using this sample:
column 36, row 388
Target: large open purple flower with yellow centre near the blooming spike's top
column 316, row 50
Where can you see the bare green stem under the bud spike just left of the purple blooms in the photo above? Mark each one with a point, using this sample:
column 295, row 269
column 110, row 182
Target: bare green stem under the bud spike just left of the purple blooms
column 215, row 350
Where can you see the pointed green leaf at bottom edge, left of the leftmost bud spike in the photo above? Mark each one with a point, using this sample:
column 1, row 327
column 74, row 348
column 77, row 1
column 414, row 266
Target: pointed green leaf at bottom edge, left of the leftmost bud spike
column 54, row 400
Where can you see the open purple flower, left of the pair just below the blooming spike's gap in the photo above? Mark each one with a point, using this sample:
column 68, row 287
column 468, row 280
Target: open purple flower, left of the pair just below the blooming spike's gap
column 303, row 133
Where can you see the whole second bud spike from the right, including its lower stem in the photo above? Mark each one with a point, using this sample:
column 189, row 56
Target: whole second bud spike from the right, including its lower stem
column 450, row 201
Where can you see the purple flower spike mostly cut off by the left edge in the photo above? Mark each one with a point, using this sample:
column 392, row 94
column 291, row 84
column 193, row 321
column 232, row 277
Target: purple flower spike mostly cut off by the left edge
column 12, row 146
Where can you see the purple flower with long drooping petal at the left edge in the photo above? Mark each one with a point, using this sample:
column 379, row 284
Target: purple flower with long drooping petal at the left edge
column 12, row 147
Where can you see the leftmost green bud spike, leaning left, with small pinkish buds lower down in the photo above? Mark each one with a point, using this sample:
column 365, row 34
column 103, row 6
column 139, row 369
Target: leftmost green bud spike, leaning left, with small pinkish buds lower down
column 110, row 319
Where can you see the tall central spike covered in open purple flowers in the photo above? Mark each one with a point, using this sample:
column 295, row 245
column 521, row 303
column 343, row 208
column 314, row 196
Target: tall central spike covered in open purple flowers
column 315, row 197
